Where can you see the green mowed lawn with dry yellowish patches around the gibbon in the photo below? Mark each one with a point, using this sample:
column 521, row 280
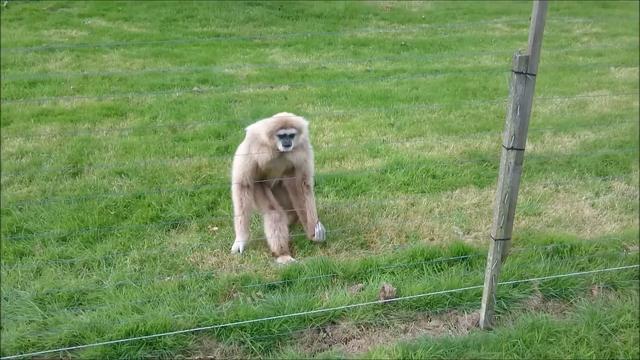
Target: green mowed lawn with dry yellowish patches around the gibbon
column 119, row 121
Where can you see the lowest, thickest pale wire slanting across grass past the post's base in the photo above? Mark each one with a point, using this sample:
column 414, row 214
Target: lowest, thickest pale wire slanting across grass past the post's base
column 311, row 312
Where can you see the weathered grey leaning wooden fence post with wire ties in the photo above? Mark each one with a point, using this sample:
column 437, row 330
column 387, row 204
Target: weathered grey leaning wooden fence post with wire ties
column 522, row 86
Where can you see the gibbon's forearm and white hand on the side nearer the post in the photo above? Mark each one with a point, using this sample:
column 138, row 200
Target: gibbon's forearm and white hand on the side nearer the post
column 303, row 199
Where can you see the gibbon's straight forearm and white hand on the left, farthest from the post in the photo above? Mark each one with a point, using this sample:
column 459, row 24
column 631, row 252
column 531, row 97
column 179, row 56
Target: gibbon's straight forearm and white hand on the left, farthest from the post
column 242, row 195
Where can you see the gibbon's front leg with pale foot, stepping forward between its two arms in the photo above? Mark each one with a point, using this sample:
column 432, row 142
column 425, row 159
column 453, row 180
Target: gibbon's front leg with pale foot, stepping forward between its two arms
column 275, row 223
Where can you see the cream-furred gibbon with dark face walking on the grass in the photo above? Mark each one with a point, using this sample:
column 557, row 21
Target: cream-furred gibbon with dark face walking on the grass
column 273, row 173
